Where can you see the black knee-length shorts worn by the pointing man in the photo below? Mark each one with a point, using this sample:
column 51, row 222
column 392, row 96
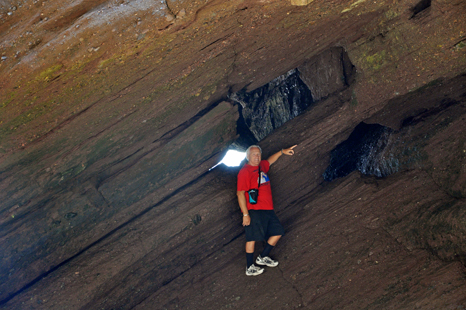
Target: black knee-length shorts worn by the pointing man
column 264, row 224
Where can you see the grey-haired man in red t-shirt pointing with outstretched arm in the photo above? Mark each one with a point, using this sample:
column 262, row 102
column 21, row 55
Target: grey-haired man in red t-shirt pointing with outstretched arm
column 259, row 220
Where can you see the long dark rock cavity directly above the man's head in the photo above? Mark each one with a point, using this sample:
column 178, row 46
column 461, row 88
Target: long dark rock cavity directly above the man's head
column 270, row 106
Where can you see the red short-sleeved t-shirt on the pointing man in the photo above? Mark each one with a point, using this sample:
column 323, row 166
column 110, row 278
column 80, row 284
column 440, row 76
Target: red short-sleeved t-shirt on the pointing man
column 248, row 178
